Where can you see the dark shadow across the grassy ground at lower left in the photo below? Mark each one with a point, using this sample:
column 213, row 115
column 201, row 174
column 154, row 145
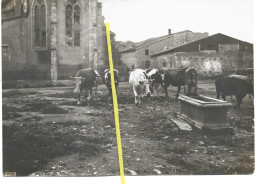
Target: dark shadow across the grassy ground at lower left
column 28, row 147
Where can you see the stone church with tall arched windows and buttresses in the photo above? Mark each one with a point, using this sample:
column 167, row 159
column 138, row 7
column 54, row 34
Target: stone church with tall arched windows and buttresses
column 52, row 37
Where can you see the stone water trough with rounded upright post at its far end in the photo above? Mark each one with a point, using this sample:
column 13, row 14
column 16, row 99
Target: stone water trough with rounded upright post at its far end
column 202, row 111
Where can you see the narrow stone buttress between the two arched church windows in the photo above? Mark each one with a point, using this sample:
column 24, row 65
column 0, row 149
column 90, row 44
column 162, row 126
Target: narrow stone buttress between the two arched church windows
column 54, row 60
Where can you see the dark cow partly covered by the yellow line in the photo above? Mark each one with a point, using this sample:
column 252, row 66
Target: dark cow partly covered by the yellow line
column 107, row 81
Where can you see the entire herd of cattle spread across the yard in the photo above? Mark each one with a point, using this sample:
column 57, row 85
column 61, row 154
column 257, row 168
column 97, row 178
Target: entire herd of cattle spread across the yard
column 145, row 81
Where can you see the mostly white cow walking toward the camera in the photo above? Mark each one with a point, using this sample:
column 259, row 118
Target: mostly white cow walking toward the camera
column 140, row 83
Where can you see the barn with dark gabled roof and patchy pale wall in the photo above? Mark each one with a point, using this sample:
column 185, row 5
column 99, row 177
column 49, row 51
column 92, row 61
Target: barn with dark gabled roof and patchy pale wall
column 213, row 55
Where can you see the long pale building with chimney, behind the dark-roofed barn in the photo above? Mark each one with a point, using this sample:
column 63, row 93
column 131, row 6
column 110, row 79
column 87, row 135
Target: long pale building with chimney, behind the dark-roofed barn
column 139, row 54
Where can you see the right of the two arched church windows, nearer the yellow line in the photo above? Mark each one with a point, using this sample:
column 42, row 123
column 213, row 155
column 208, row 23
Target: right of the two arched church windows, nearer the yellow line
column 72, row 13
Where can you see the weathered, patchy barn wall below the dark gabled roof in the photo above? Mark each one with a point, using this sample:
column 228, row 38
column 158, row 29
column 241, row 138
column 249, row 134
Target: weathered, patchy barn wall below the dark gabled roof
column 206, row 63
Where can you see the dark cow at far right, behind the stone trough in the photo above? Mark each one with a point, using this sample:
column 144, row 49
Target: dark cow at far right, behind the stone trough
column 237, row 85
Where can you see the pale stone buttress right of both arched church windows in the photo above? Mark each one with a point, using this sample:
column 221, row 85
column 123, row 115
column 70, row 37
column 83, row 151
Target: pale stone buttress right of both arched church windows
column 93, row 49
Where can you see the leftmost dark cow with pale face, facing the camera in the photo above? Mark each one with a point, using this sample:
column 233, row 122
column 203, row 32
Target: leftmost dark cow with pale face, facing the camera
column 84, row 80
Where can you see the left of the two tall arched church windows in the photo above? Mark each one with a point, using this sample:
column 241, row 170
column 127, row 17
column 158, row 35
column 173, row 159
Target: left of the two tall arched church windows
column 39, row 24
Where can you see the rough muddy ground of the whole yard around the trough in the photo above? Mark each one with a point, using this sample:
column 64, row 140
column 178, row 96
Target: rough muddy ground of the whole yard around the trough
column 46, row 134
